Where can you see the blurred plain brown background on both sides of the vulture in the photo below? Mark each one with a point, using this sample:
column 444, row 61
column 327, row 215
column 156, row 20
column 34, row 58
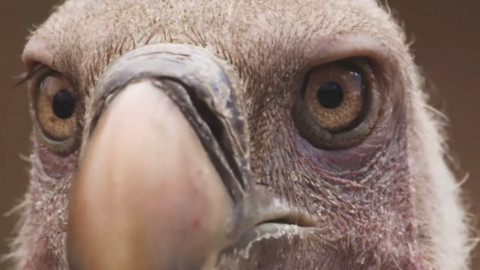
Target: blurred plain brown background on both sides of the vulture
column 447, row 46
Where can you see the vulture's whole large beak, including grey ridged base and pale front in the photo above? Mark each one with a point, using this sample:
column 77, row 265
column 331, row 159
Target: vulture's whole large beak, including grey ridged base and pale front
column 164, row 179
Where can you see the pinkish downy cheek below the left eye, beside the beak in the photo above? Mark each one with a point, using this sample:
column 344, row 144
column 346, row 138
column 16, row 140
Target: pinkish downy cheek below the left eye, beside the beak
column 42, row 245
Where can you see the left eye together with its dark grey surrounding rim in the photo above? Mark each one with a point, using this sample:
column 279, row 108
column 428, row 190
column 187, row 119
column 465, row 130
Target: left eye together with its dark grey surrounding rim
column 56, row 110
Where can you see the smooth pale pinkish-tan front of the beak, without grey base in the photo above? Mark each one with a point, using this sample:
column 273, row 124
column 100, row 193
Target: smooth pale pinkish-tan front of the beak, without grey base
column 147, row 195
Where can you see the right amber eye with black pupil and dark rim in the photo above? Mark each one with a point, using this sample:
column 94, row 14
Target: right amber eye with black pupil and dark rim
column 338, row 105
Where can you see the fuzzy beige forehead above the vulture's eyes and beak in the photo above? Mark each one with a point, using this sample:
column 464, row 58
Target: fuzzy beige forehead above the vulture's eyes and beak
column 92, row 33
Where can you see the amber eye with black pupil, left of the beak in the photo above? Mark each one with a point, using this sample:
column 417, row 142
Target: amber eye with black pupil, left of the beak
column 56, row 110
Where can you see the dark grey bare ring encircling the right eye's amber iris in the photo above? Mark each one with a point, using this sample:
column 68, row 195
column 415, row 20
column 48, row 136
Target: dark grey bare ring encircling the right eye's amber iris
column 322, row 138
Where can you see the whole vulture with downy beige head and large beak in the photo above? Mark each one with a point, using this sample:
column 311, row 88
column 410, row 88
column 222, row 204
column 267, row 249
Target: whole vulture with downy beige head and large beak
column 234, row 134
